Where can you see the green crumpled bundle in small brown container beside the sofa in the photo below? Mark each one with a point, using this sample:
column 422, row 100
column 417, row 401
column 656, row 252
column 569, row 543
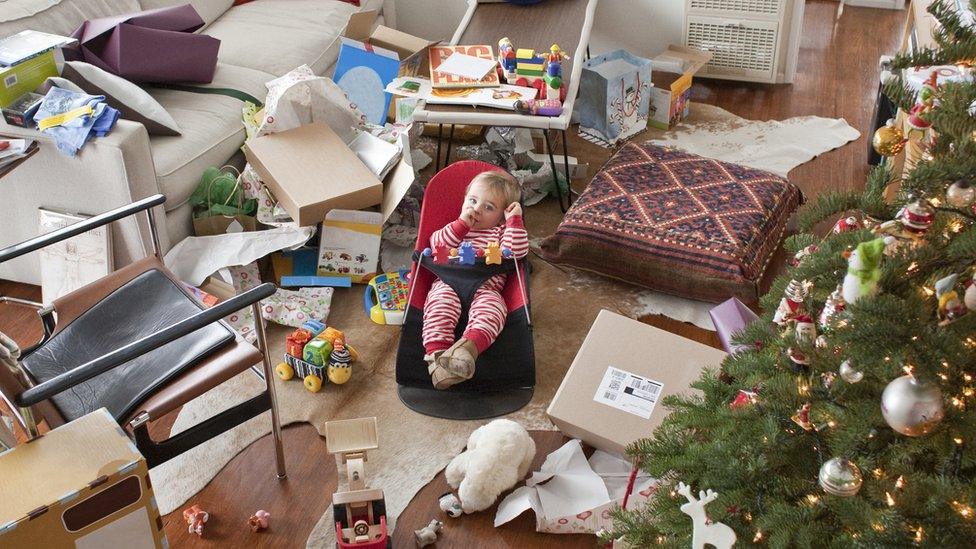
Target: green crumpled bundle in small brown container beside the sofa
column 220, row 204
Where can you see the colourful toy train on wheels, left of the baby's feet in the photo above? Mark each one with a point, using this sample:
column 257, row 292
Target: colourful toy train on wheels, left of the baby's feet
column 317, row 354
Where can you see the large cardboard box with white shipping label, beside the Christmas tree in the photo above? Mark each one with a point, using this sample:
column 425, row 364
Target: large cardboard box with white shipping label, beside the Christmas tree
column 611, row 394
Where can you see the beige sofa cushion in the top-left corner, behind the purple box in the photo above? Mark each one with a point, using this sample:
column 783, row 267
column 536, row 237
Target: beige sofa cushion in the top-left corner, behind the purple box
column 61, row 17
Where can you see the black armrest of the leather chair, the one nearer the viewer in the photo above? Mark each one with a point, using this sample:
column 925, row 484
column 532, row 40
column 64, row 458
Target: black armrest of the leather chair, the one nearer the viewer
column 83, row 373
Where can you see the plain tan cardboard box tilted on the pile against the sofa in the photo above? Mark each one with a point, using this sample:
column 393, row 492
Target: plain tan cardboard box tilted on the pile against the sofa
column 311, row 171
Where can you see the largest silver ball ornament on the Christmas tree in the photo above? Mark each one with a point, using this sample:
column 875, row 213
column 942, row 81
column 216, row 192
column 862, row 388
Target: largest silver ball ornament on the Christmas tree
column 912, row 407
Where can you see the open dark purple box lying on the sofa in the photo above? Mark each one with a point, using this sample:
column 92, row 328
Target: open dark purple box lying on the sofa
column 149, row 46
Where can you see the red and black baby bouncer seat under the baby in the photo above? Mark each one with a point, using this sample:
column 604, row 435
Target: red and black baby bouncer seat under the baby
column 504, row 377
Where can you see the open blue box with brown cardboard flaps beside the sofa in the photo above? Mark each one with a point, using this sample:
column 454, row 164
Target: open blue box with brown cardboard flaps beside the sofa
column 389, row 52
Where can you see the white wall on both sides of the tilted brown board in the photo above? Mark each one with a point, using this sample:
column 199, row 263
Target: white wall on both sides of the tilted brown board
column 643, row 27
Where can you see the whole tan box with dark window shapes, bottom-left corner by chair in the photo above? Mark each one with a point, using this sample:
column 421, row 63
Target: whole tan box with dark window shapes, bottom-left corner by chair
column 83, row 485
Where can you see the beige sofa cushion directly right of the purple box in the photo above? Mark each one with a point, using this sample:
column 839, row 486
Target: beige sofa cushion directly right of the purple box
column 275, row 36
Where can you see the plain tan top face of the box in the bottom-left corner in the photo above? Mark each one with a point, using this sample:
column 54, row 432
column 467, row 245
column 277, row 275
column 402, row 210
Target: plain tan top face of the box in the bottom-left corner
column 62, row 462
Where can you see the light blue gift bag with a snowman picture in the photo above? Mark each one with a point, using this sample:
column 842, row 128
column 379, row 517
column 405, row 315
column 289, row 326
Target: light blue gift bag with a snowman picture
column 613, row 100
